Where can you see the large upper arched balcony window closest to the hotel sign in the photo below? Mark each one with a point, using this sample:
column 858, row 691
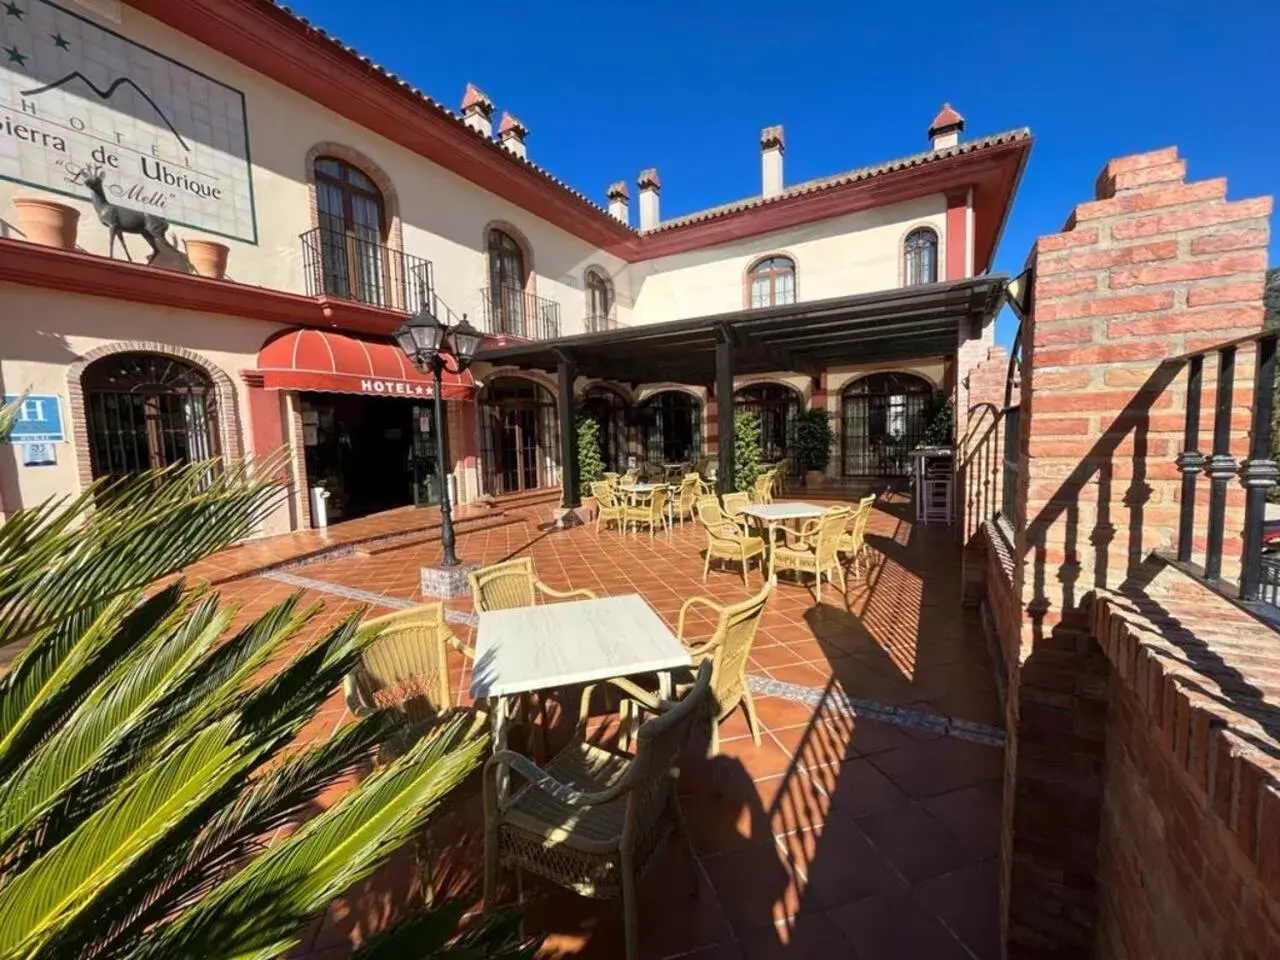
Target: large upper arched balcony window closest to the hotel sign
column 353, row 228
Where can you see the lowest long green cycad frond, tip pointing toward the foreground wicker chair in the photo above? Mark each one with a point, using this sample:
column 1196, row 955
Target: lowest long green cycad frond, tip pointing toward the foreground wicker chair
column 294, row 881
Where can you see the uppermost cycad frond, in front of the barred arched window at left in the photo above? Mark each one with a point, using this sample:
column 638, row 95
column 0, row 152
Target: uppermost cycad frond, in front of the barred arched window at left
column 122, row 537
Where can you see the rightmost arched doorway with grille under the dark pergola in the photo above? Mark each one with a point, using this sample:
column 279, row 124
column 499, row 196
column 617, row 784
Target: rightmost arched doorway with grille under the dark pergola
column 883, row 420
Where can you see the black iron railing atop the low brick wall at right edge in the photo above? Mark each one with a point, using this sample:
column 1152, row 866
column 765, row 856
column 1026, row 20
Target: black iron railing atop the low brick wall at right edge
column 1259, row 472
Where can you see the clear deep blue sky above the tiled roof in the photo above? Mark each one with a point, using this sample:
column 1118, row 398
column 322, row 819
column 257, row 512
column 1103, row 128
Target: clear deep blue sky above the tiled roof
column 609, row 90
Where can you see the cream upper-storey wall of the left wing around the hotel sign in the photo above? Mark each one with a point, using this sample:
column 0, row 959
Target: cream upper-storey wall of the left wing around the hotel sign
column 444, row 216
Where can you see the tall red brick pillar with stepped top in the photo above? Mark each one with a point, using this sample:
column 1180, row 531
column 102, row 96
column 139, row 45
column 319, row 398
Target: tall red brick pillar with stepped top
column 1153, row 268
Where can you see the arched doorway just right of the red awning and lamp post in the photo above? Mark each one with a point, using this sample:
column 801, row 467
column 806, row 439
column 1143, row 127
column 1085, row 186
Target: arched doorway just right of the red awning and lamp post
column 519, row 436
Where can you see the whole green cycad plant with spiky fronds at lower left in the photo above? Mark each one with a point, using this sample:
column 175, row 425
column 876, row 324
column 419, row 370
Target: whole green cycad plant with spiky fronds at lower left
column 149, row 753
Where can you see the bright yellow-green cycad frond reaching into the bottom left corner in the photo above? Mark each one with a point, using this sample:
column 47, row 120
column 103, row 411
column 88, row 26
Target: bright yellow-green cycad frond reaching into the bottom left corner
column 63, row 885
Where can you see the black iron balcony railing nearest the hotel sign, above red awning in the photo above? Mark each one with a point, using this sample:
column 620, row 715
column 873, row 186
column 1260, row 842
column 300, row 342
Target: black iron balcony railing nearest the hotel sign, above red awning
column 341, row 264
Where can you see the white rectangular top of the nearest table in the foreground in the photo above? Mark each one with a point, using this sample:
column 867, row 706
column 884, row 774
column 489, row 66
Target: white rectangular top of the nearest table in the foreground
column 560, row 644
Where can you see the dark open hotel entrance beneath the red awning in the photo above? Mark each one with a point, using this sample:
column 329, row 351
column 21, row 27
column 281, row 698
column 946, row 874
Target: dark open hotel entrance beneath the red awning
column 372, row 454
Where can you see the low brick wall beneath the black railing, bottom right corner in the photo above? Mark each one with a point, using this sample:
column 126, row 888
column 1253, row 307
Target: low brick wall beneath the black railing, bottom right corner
column 1190, row 847
